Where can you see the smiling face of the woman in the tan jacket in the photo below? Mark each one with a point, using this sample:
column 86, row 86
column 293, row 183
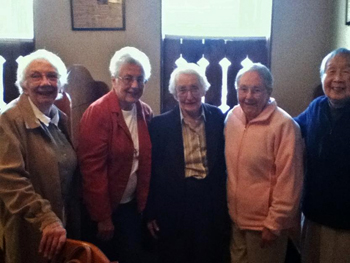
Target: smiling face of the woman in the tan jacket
column 41, row 84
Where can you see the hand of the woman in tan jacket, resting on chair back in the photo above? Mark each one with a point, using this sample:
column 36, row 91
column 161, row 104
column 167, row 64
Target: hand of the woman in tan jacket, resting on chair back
column 52, row 240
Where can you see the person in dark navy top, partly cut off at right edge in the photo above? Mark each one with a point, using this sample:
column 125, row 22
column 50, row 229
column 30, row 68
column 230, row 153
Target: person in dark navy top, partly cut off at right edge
column 325, row 125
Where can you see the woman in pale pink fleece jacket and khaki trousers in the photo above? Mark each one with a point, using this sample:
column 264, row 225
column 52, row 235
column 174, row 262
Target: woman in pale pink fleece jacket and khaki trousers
column 264, row 164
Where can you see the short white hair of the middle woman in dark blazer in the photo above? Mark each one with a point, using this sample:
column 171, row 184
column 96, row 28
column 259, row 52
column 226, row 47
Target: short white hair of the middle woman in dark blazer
column 191, row 69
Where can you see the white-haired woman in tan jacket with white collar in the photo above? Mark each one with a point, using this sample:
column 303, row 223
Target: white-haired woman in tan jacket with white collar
column 37, row 163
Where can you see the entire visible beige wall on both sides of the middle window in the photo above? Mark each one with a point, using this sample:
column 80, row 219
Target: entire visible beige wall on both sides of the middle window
column 301, row 36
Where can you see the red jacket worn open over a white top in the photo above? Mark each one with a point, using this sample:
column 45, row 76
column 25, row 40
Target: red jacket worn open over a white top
column 105, row 153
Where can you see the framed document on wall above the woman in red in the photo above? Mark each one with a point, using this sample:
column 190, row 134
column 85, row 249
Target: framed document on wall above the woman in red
column 98, row 14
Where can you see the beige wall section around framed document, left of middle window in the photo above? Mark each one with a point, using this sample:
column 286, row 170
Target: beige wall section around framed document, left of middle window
column 93, row 49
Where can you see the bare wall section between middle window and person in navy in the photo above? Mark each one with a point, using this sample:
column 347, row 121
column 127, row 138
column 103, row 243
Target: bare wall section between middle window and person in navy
column 300, row 39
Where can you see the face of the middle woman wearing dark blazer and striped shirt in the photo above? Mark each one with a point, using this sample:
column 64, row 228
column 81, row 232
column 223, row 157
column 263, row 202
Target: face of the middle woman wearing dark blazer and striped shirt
column 189, row 93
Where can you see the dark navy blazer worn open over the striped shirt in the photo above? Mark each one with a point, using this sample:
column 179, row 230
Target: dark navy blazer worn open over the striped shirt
column 168, row 183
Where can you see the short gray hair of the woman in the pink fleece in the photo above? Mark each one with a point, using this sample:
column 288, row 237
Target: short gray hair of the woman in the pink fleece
column 263, row 72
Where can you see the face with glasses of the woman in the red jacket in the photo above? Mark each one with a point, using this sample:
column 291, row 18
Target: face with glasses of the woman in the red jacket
column 128, row 92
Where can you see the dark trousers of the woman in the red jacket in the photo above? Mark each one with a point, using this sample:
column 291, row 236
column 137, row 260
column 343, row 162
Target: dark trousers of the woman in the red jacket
column 126, row 246
